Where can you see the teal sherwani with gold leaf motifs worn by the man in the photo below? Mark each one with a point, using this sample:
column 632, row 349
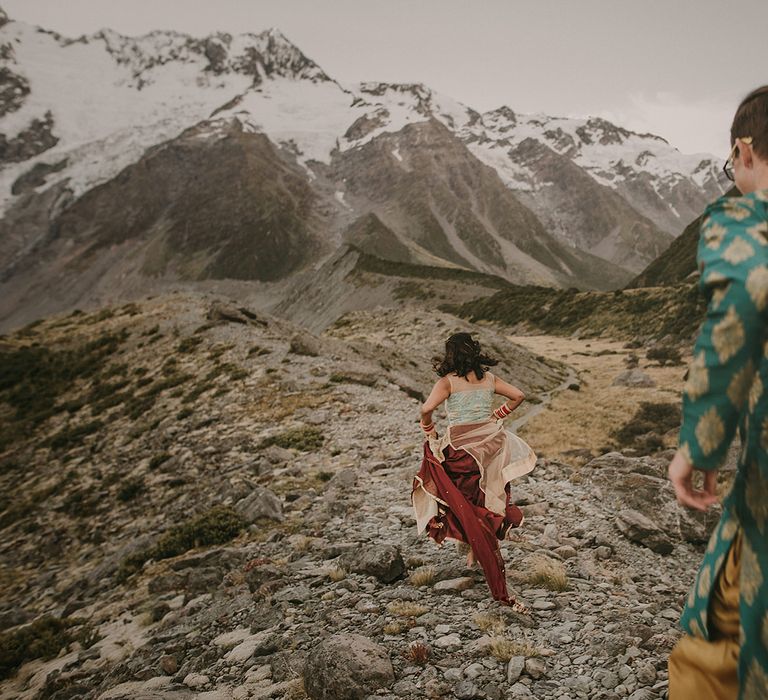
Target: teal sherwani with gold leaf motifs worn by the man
column 726, row 391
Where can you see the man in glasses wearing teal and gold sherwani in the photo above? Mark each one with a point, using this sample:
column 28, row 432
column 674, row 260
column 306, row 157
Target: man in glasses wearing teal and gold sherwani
column 725, row 652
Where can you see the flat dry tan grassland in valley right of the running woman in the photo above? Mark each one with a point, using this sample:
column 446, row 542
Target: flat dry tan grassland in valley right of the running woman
column 568, row 420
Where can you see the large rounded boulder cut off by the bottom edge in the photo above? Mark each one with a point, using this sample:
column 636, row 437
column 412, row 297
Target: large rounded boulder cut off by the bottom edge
column 347, row 667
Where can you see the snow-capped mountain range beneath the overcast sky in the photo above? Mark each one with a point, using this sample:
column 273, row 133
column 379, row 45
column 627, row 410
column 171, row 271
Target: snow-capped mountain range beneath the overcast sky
column 191, row 146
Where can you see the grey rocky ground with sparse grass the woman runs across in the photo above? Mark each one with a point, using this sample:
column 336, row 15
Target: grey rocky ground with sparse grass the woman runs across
column 314, row 582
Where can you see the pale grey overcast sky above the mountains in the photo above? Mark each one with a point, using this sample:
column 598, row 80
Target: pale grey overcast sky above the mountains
column 677, row 68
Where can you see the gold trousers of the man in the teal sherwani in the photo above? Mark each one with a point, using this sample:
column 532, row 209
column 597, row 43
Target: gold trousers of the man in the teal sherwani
column 701, row 670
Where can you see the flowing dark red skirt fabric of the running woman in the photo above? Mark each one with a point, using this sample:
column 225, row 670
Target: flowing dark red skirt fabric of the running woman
column 456, row 482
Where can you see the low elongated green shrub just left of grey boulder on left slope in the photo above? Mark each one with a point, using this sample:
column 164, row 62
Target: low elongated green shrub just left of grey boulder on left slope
column 216, row 526
